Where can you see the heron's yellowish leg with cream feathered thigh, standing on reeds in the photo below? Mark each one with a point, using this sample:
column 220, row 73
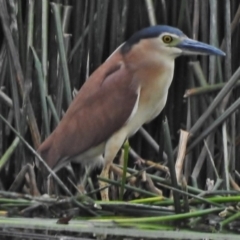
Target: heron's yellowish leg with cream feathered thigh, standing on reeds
column 112, row 147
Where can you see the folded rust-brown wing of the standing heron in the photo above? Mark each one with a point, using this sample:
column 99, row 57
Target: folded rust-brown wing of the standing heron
column 101, row 107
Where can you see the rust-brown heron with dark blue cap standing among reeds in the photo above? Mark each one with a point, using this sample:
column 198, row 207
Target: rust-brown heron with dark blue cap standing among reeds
column 128, row 90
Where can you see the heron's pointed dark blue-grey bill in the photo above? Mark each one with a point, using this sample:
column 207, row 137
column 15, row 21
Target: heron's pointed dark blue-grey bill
column 191, row 47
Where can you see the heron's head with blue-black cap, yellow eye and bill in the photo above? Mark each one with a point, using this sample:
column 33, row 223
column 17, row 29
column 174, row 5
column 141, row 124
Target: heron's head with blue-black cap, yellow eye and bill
column 170, row 41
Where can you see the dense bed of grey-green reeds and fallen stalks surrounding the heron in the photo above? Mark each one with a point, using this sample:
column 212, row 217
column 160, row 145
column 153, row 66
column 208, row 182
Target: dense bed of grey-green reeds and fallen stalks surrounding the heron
column 182, row 171
